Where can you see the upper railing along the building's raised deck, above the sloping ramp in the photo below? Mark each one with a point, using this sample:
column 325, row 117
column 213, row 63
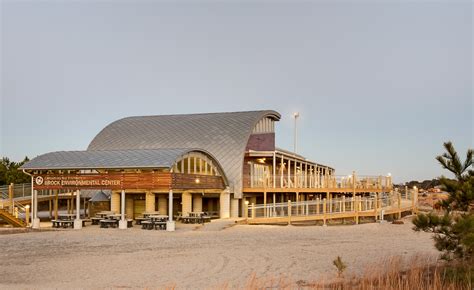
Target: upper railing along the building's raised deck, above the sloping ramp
column 317, row 181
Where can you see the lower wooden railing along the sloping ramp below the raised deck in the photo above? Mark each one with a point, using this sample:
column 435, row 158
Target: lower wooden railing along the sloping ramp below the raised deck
column 373, row 203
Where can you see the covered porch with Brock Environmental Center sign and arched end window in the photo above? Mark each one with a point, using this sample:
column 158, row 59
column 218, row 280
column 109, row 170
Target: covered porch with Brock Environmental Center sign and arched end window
column 174, row 183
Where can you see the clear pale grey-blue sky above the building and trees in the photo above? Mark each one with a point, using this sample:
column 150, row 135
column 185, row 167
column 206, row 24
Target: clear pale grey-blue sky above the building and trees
column 379, row 85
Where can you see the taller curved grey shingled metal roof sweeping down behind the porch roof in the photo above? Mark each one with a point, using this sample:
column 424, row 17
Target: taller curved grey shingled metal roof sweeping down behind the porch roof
column 224, row 135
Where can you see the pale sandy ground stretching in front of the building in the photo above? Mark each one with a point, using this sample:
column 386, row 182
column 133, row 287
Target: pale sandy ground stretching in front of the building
column 192, row 258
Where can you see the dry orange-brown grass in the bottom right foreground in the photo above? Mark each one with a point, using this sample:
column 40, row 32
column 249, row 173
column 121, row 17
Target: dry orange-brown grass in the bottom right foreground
column 393, row 273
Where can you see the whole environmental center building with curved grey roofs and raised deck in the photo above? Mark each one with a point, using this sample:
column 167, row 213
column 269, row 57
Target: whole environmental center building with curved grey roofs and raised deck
column 213, row 162
